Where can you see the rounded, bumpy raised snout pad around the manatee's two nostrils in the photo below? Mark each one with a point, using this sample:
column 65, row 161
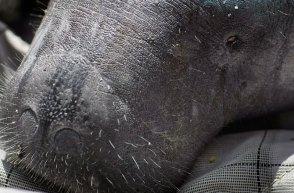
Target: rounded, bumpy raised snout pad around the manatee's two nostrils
column 67, row 107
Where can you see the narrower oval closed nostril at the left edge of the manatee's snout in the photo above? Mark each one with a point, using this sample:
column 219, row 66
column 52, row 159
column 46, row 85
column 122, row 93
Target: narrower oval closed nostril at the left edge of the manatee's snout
column 28, row 123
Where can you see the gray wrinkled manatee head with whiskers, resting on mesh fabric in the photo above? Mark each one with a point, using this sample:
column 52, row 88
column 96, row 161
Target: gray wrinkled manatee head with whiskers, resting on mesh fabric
column 120, row 95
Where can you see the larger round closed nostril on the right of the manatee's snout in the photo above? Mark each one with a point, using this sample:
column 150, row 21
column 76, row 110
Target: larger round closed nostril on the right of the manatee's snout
column 68, row 141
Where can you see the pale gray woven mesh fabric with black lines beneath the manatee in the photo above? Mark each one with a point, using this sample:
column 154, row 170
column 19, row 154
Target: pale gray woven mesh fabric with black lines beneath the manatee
column 259, row 161
